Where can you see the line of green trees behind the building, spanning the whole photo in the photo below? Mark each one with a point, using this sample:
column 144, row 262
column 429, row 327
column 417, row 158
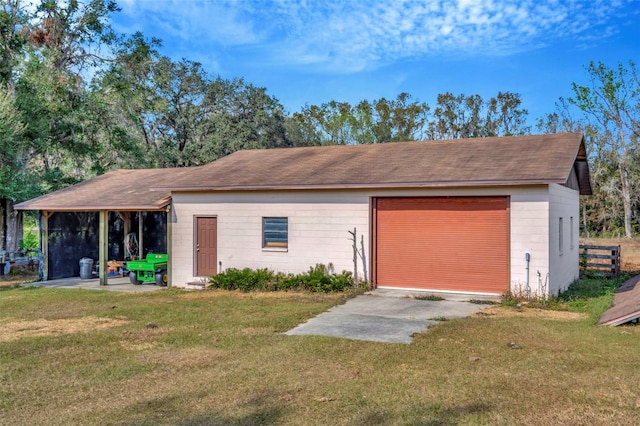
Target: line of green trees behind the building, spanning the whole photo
column 77, row 100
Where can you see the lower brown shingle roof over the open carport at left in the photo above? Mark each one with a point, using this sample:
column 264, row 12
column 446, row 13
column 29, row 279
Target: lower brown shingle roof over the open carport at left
column 121, row 190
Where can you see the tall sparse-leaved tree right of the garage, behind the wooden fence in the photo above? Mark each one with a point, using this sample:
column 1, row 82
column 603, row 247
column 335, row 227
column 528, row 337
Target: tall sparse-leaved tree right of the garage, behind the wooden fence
column 612, row 101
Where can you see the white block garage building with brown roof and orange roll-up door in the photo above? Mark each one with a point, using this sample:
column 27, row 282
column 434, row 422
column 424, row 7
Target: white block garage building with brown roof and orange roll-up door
column 472, row 216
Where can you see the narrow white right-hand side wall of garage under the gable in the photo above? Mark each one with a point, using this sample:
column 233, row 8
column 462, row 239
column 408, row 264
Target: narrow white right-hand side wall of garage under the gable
column 563, row 266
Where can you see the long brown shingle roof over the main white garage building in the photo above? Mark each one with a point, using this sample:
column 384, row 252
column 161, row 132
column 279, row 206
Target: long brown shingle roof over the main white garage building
column 539, row 159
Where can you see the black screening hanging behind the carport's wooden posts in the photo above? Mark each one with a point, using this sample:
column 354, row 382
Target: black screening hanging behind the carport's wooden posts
column 74, row 235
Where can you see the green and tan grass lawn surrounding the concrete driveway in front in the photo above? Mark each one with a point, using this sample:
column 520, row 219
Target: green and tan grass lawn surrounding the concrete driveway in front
column 218, row 357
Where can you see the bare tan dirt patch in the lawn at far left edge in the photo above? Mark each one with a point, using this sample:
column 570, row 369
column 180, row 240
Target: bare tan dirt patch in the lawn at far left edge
column 16, row 329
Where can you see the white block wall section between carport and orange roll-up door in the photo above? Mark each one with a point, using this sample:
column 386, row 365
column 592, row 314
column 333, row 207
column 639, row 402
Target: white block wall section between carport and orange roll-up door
column 319, row 222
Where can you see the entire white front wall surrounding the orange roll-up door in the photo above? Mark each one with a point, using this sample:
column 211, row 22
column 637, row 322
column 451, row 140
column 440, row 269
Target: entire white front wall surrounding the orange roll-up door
column 319, row 222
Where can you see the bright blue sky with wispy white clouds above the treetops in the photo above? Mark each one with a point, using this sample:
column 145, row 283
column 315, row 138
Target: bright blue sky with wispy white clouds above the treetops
column 314, row 51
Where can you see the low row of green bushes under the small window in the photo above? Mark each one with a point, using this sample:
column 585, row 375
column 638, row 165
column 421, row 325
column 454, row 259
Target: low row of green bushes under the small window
column 319, row 279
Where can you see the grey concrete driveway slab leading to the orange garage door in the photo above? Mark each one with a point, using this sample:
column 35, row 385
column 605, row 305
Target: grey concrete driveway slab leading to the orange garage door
column 384, row 316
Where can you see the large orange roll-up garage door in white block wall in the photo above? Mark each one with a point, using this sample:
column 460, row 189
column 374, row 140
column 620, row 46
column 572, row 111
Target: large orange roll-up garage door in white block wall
column 442, row 243
